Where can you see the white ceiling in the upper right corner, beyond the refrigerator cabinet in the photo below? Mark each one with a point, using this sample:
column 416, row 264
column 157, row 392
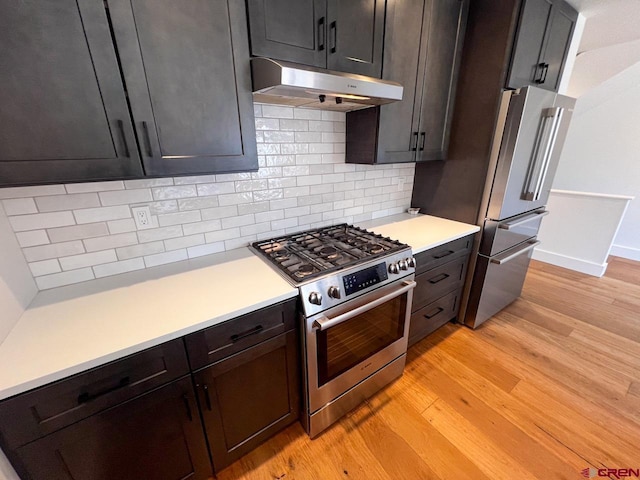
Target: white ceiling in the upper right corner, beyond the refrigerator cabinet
column 610, row 42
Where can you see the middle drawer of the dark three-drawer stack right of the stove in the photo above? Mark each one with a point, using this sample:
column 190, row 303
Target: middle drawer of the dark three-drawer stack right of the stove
column 437, row 282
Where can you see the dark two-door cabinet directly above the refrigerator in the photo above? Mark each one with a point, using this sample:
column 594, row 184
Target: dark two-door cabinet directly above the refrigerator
column 542, row 41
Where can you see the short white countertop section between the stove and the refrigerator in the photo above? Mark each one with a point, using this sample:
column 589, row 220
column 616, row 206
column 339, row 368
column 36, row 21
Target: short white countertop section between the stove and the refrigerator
column 422, row 232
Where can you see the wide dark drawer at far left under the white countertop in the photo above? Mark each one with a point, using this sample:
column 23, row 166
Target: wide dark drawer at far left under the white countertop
column 37, row 413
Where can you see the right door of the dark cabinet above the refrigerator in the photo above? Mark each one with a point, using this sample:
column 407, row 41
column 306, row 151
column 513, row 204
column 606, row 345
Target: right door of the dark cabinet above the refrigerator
column 558, row 40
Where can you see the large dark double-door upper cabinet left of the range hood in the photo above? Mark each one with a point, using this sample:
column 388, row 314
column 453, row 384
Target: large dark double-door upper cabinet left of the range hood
column 183, row 68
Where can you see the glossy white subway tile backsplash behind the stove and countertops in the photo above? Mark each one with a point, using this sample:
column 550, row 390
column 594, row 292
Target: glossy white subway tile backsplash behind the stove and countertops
column 302, row 183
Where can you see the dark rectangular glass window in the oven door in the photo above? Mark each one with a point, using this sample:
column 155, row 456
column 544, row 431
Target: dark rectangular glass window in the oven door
column 350, row 342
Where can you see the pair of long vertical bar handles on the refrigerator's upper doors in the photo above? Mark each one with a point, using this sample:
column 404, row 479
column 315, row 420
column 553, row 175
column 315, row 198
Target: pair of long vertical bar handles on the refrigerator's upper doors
column 552, row 118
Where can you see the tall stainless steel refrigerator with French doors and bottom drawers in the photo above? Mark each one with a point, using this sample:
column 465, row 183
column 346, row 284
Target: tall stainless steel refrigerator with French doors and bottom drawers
column 531, row 128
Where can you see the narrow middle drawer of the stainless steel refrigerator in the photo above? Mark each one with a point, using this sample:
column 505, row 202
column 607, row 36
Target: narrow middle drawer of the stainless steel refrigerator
column 498, row 236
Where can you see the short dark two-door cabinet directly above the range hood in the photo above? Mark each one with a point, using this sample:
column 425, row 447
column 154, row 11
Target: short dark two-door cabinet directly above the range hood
column 339, row 35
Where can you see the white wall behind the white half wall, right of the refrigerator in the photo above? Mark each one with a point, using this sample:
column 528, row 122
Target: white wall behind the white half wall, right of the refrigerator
column 602, row 151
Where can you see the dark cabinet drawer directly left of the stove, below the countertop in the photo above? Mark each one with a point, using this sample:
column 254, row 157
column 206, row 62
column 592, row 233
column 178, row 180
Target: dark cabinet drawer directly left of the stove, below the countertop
column 220, row 341
